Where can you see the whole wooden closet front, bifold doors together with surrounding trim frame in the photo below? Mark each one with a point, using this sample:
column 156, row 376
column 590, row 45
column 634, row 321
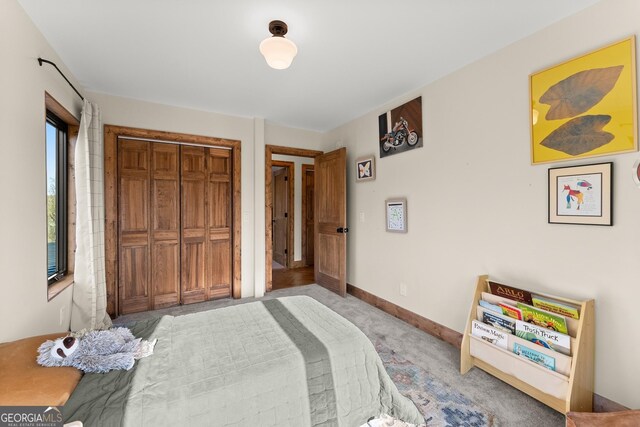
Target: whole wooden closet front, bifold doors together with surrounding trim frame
column 156, row 237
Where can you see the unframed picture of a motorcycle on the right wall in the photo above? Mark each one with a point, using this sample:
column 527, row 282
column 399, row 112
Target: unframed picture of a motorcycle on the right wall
column 400, row 129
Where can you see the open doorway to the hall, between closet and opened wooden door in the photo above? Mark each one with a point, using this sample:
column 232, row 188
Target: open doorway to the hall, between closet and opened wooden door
column 290, row 216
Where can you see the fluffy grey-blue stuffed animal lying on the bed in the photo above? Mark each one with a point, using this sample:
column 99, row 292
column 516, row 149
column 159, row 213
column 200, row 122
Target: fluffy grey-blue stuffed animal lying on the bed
column 97, row 351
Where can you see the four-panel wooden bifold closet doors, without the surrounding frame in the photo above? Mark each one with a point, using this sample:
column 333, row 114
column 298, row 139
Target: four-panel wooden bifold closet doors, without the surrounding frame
column 174, row 215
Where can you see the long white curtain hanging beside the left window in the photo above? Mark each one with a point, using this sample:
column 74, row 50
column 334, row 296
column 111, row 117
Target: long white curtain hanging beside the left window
column 89, row 309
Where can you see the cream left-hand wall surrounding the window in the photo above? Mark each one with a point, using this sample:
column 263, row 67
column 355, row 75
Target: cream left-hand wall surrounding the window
column 24, row 309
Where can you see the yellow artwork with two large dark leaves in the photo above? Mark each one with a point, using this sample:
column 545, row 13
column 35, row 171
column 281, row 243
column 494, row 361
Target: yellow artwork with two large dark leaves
column 585, row 107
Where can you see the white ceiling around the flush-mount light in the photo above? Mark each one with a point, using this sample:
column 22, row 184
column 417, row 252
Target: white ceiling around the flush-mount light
column 353, row 55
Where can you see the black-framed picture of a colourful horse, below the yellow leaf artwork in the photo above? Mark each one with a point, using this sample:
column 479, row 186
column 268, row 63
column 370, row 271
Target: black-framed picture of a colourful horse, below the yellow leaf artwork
column 581, row 194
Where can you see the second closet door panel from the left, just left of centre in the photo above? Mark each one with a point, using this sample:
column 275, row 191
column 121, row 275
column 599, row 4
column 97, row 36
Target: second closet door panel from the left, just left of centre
column 165, row 222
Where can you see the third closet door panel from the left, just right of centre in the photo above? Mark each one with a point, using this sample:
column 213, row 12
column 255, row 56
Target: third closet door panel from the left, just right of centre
column 194, row 231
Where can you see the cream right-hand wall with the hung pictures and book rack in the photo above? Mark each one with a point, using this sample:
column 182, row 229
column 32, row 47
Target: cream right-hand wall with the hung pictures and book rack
column 476, row 205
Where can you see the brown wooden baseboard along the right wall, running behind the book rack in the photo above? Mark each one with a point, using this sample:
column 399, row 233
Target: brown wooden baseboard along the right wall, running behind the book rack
column 448, row 335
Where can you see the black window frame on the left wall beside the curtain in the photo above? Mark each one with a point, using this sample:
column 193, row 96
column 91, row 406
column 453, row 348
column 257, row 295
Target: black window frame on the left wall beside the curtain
column 62, row 133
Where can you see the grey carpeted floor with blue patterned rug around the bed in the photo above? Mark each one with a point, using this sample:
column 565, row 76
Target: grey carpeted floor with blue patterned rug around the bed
column 424, row 368
